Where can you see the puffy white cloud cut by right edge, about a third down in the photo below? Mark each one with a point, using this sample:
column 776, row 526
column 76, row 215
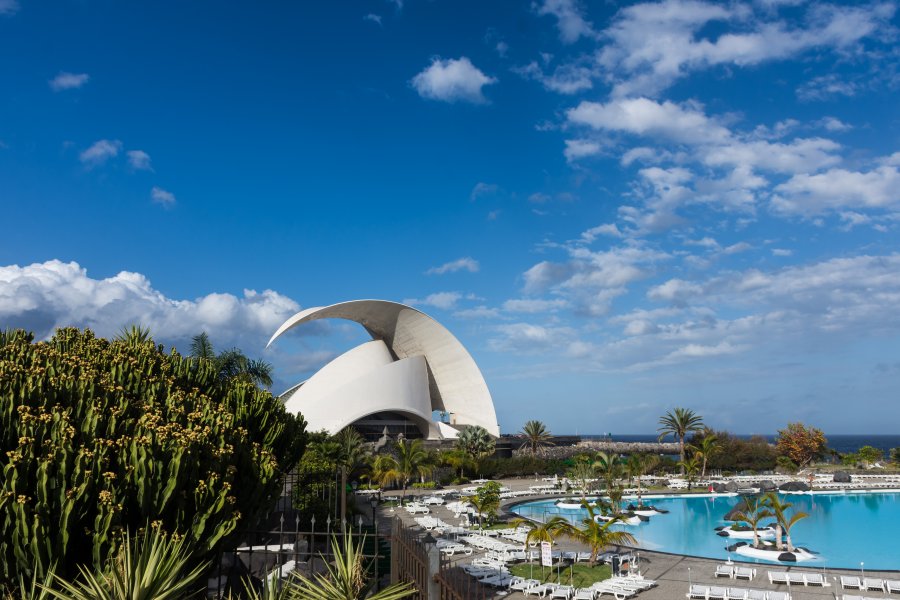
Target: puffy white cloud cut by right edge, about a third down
column 805, row 194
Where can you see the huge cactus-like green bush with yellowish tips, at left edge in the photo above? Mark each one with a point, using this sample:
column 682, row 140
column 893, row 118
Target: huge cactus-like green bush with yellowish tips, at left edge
column 100, row 437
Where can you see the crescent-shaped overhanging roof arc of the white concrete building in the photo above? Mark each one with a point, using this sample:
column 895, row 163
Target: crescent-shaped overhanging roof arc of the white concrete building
column 455, row 382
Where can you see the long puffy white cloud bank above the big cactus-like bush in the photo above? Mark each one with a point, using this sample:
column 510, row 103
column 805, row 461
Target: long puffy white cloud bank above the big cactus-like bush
column 43, row 296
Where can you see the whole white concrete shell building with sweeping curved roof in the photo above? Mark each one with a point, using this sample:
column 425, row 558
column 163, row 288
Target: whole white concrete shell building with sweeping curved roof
column 413, row 366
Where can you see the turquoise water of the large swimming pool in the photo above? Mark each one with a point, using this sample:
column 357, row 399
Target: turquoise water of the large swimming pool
column 845, row 529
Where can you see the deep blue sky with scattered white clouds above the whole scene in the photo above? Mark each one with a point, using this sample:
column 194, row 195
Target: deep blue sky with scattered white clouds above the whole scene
column 618, row 208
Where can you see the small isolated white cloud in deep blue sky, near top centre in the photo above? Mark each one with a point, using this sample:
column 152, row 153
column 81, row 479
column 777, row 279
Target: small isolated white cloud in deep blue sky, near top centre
column 452, row 80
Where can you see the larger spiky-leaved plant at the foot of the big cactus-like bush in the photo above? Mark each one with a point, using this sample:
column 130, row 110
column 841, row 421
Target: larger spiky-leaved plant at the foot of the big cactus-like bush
column 150, row 567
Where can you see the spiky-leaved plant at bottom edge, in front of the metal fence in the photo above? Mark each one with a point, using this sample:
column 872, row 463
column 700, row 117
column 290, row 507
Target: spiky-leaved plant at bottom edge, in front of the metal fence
column 346, row 578
